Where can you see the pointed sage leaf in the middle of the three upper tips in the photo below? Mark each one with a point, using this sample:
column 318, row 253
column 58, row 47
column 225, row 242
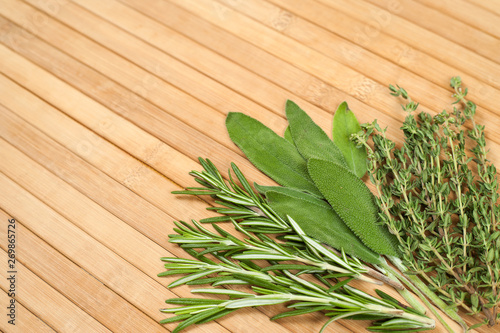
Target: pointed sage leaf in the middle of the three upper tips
column 311, row 141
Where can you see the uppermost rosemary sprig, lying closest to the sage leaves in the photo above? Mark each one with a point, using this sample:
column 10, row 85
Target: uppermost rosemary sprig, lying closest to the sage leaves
column 242, row 203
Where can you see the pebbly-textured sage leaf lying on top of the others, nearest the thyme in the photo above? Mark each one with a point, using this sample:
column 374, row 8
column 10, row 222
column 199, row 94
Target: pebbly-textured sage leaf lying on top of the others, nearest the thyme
column 353, row 202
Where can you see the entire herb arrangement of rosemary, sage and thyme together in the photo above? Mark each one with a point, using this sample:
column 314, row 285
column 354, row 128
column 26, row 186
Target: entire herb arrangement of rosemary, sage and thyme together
column 432, row 217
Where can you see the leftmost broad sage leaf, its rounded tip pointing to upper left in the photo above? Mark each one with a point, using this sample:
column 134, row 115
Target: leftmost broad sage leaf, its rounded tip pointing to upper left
column 269, row 152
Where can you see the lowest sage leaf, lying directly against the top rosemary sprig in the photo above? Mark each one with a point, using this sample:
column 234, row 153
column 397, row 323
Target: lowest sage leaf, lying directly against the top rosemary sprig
column 319, row 221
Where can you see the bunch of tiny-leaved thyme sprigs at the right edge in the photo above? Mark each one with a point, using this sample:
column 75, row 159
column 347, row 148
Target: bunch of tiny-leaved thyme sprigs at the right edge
column 440, row 200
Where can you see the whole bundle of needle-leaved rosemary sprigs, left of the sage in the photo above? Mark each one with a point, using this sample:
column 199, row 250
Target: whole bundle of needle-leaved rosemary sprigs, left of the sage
column 290, row 256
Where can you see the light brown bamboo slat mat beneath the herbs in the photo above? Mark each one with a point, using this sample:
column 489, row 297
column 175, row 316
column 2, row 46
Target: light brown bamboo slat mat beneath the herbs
column 105, row 107
